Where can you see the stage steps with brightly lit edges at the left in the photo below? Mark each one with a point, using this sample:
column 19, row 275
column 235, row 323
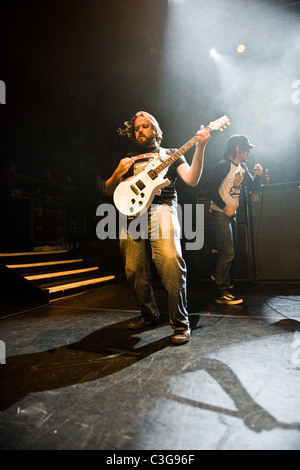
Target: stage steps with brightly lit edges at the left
column 53, row 275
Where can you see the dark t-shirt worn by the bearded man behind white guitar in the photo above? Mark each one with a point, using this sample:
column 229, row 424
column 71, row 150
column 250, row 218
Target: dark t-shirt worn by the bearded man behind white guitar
column 167, row 194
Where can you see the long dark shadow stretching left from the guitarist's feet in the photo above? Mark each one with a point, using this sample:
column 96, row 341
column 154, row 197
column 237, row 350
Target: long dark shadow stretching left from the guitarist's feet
column 101, row 353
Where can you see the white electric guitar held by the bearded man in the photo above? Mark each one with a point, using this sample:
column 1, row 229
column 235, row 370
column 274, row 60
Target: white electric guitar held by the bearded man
column 134, row 196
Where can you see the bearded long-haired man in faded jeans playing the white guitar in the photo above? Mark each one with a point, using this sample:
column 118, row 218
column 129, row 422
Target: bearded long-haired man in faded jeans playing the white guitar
column 144, row 130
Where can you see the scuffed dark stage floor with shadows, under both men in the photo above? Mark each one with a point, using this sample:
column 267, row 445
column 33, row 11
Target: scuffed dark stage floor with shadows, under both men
column 77, row 378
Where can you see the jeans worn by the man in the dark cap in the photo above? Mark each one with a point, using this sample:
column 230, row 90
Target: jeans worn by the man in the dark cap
column 225, row 233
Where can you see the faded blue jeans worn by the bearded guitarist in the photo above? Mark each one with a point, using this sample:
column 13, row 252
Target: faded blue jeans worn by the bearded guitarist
column 162, row 242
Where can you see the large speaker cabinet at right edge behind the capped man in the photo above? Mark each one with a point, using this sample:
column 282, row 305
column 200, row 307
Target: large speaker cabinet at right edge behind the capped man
column 275, row 232
